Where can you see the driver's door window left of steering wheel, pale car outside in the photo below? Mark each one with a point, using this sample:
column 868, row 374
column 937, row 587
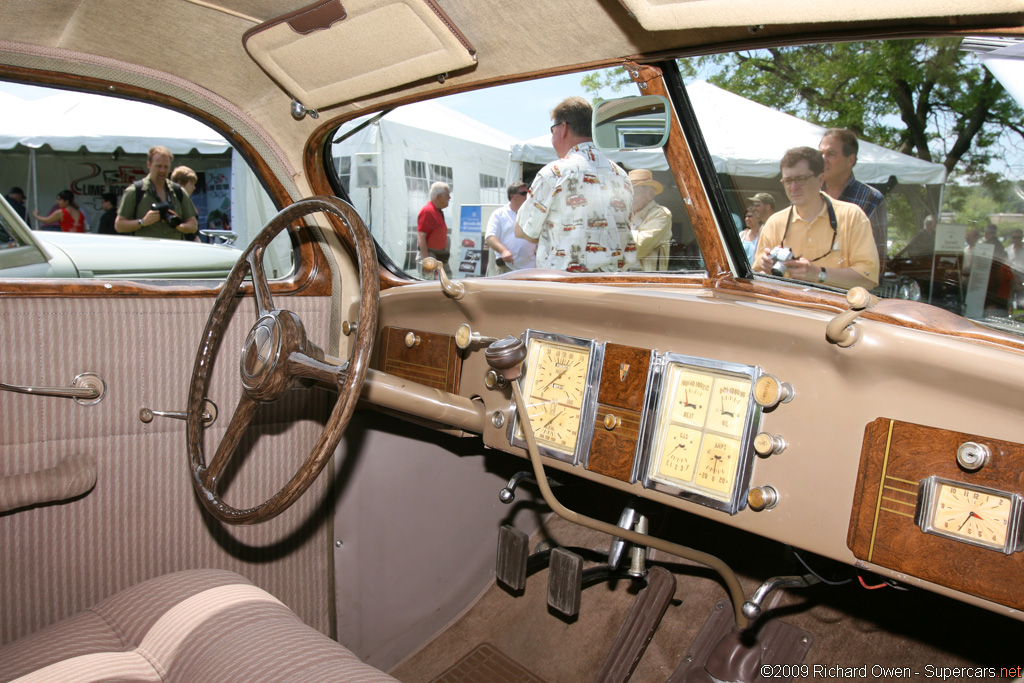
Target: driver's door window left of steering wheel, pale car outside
column 73, row 162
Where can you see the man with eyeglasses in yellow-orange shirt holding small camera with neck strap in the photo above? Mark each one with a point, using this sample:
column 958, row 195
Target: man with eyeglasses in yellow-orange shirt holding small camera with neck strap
column 832, row 241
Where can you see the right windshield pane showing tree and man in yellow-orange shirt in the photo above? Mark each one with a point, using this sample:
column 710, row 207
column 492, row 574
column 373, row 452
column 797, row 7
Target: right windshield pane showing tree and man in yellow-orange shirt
column 920, row 137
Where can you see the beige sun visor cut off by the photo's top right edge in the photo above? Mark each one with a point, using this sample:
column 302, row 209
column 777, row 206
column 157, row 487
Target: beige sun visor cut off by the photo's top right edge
column 677, row 15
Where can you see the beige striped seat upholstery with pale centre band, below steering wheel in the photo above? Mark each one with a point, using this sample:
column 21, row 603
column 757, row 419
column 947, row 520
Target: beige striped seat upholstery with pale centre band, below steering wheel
column 202, row 625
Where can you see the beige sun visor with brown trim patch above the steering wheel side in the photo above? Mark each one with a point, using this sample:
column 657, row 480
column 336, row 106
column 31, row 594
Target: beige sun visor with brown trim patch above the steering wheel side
column 332, row 53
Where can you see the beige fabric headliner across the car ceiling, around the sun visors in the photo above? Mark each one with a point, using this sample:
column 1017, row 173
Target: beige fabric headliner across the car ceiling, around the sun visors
column 200, row 44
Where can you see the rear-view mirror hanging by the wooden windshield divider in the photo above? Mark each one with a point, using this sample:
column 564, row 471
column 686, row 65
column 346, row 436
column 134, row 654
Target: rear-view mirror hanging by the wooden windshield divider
column 631, row 123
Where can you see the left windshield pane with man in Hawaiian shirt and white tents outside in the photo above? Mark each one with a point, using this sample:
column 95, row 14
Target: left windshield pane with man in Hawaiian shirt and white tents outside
column 489, row 148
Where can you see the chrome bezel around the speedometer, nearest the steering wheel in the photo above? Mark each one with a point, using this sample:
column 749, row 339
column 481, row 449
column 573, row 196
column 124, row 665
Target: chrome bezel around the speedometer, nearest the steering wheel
column 588, row 410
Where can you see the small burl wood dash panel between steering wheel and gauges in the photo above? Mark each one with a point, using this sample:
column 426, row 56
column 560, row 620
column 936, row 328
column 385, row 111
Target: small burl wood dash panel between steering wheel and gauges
column 434, row 361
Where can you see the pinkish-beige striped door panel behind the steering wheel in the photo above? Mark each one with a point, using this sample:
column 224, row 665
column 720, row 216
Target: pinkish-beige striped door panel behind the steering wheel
column 143, row 519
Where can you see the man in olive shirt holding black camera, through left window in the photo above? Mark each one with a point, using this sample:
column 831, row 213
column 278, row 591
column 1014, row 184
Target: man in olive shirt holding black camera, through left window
column 155, row 207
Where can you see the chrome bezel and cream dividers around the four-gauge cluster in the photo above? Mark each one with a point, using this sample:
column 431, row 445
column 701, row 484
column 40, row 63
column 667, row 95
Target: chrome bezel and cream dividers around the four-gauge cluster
column 655, row 432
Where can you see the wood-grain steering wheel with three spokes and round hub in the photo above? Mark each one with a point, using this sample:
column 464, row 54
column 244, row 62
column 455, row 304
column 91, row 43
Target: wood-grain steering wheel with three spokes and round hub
column 275, row 356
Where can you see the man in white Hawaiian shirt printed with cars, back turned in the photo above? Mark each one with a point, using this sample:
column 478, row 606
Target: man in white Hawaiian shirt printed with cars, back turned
column 578, row 211
